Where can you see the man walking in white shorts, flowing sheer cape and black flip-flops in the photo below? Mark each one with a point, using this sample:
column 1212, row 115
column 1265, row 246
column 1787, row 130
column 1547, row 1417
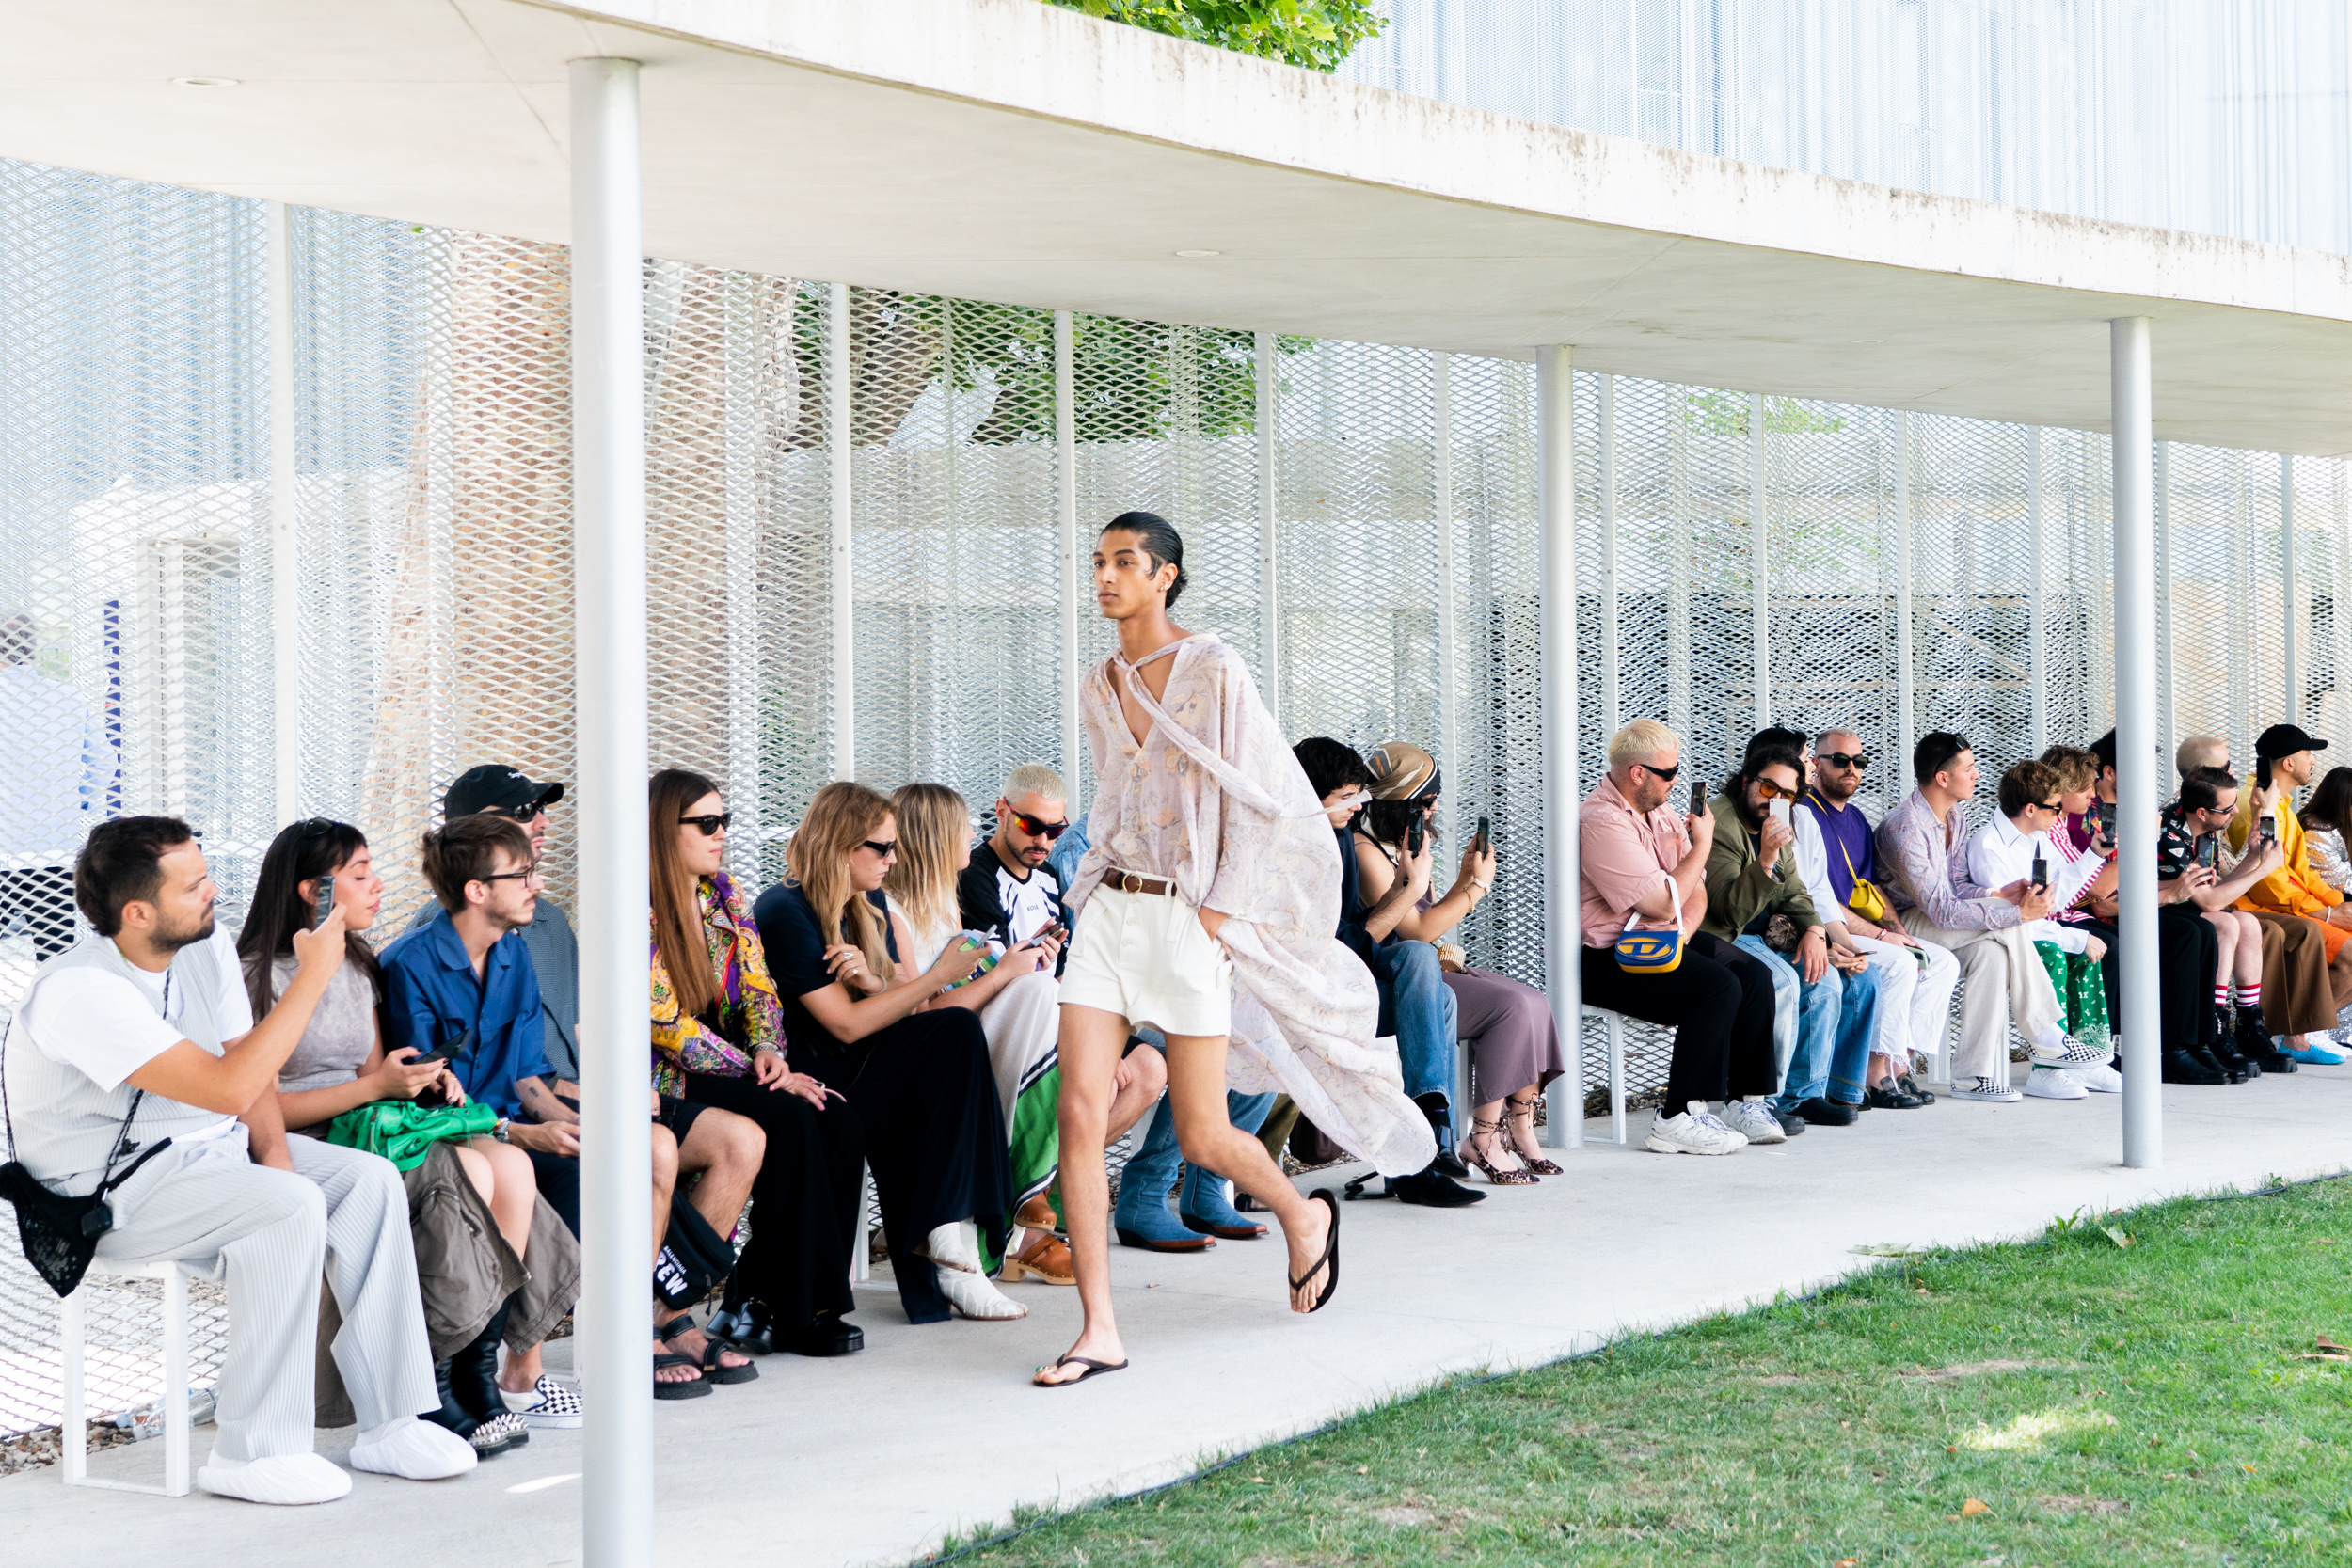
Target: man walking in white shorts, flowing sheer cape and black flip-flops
column 1212, row 902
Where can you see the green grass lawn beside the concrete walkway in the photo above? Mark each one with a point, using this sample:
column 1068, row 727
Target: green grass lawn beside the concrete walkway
column 2066, row 1402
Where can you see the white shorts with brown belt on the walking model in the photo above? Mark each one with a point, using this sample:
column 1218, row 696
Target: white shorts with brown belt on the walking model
column 1149, row 960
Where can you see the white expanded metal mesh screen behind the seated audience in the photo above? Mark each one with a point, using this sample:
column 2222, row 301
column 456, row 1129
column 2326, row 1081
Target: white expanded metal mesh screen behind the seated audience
column 1387, row 497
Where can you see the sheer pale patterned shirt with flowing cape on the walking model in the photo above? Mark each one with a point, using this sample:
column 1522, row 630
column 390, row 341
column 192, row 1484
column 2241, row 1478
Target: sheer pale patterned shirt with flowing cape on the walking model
column 1220, row 805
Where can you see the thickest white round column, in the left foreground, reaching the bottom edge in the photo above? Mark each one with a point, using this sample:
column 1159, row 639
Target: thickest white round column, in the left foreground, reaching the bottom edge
column 608, row 518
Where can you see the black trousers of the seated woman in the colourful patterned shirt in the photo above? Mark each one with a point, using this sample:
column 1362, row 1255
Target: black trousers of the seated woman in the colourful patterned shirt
column 803, row 1205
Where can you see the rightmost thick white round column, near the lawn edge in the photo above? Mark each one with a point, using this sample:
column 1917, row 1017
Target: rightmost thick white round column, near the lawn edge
column 2137, row 777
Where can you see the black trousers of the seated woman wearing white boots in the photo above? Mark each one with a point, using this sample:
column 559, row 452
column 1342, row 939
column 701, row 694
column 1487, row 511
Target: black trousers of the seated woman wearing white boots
column 942, row 1158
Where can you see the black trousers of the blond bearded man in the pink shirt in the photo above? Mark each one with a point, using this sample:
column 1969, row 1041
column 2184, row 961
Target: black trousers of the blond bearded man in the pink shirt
column 1720, row 1007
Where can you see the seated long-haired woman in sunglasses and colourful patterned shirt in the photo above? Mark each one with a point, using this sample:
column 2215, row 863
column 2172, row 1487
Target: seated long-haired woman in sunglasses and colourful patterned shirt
column 719, row 1040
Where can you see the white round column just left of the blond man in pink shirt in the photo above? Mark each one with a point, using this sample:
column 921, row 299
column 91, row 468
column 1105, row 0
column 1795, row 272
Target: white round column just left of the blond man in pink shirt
column 1563, row 939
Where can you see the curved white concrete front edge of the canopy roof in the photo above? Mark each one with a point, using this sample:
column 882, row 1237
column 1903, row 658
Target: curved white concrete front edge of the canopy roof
column 1050, row 62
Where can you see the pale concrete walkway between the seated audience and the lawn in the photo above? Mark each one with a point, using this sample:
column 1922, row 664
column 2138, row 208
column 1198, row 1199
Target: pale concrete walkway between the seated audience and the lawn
column 933, row 1430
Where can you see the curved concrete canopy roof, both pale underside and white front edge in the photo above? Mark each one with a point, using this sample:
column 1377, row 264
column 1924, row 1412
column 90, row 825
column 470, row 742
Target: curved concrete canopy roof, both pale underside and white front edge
column 1003, row 149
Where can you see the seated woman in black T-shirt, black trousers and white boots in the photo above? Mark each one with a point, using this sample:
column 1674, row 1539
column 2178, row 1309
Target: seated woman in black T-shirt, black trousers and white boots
column 860, row 1014
